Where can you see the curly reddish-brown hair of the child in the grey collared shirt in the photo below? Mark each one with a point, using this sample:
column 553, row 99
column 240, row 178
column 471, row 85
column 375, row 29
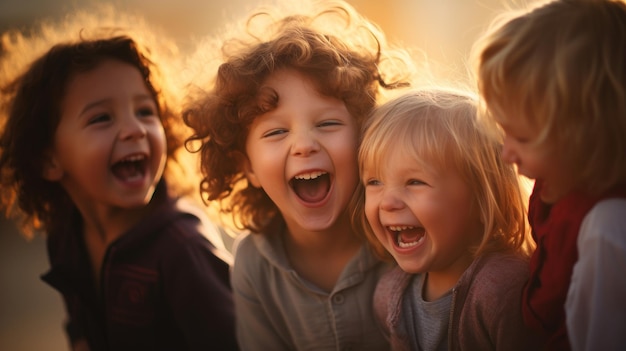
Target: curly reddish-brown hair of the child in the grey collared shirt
column 341, row 52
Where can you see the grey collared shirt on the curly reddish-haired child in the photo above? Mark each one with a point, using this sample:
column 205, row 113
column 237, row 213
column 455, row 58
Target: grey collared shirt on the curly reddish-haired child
column 276, row 309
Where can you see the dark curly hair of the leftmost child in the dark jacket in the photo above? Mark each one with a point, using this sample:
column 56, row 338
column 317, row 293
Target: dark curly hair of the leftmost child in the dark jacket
column 30, row 107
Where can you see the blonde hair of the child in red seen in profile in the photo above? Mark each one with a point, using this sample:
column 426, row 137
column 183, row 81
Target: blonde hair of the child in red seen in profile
column 562, row 67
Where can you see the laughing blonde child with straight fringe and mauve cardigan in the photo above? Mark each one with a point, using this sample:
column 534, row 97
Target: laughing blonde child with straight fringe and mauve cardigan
column 441, row 203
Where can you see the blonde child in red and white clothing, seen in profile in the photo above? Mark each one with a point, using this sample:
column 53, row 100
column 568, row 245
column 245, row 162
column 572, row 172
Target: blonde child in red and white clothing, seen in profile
column 554, row 78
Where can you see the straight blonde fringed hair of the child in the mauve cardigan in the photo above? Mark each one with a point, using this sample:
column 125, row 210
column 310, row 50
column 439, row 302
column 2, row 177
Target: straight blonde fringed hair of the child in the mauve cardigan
column 441, row 130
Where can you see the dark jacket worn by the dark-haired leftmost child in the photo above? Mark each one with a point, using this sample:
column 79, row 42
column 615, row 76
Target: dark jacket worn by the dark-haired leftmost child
column 164, row 286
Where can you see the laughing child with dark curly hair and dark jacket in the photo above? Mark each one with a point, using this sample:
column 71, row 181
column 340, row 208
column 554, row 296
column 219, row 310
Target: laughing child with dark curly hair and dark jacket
column 88, row 155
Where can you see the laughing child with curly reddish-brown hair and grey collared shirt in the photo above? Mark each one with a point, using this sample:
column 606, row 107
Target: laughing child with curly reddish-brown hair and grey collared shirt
column 279, row 130
